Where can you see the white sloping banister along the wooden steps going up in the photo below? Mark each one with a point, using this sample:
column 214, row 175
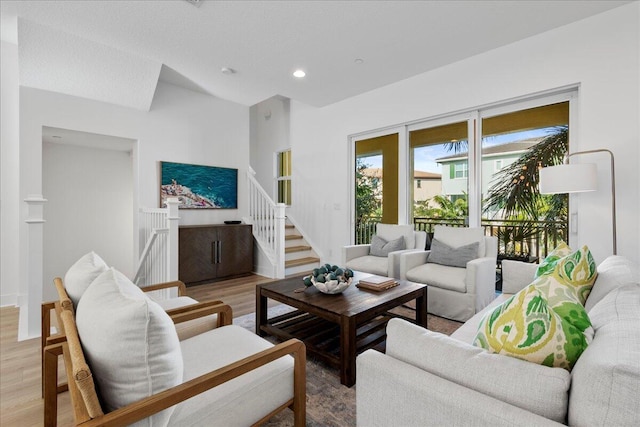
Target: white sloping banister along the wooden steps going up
column 268, row 219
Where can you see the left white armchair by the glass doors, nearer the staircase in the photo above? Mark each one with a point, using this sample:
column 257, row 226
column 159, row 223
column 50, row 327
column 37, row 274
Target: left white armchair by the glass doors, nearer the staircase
column 359, row 258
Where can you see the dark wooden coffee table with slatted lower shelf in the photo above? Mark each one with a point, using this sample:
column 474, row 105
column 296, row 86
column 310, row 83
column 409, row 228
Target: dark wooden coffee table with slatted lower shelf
column 335, row 328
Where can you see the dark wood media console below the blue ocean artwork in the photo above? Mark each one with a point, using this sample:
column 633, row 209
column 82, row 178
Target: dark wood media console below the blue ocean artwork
column 216, row 251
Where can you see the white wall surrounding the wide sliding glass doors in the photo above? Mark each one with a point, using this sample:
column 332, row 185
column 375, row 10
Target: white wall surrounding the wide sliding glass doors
column 600, row 53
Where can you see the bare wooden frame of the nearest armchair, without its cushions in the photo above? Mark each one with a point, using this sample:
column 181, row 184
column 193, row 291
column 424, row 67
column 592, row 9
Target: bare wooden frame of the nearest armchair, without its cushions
column 84, row 398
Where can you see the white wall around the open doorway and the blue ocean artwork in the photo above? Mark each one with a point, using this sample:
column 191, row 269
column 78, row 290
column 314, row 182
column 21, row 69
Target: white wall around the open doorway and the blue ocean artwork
column 182, row 126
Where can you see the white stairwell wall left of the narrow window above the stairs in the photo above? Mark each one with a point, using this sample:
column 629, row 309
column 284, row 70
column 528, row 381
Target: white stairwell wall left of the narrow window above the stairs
column 270, row 126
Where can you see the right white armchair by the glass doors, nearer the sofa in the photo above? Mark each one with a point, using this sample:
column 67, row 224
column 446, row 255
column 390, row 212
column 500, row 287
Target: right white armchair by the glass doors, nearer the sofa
column 455, row 292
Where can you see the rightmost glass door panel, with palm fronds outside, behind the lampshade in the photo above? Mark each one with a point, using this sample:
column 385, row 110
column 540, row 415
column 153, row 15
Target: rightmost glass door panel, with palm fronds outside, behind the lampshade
column 520, row 142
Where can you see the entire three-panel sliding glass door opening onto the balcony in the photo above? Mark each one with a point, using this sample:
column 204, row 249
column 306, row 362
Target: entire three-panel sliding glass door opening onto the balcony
column 480, row 168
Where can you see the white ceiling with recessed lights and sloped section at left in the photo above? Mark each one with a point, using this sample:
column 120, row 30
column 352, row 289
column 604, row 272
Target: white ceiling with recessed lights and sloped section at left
column 115, row 51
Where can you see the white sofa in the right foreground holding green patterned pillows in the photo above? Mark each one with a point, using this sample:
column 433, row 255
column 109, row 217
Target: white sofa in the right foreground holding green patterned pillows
column 427, row 378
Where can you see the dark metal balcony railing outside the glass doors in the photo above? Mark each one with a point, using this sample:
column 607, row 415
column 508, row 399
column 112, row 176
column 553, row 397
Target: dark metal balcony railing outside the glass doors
column 515, row 237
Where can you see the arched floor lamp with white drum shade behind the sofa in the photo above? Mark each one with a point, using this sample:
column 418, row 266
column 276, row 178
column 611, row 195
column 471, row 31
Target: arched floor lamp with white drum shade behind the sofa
column 578, row 178
